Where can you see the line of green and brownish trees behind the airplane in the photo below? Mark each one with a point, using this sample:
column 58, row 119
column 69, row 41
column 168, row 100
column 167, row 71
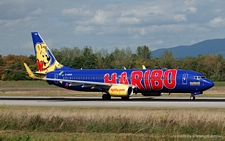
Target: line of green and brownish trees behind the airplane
column 212, row 65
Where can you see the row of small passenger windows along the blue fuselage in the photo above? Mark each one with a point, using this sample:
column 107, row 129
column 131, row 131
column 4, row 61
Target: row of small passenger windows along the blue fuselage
column 101, row 78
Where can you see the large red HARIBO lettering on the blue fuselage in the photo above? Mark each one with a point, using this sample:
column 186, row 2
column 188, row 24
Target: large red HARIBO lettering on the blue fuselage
column 153, row 80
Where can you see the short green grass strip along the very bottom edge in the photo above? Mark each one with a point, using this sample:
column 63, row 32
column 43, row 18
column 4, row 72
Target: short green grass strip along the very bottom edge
column 53, row 136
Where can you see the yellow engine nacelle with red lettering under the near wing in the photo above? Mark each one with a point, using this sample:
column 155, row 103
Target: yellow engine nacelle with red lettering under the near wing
column 121, row 90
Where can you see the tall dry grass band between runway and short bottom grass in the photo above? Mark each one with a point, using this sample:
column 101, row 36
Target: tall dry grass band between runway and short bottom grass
column 112, row 120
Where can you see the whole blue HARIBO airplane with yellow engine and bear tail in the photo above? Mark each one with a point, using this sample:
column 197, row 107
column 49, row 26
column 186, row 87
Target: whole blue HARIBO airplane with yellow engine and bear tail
column 122, row 83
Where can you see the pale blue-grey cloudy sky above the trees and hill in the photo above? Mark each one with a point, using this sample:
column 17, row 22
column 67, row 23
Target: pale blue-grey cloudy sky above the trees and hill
column 109, row 24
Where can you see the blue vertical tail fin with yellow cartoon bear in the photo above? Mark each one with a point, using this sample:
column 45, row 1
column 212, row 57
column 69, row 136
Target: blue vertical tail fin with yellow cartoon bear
column 45, row 60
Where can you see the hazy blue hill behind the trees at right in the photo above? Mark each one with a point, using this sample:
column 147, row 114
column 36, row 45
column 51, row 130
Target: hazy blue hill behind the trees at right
column 214, row 46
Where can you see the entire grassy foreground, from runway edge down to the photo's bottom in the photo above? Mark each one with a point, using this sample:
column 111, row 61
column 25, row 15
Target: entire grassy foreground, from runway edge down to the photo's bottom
column 95, row 123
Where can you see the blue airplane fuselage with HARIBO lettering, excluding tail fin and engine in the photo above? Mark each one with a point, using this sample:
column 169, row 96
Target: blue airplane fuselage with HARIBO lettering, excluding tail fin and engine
column 149, row 80
